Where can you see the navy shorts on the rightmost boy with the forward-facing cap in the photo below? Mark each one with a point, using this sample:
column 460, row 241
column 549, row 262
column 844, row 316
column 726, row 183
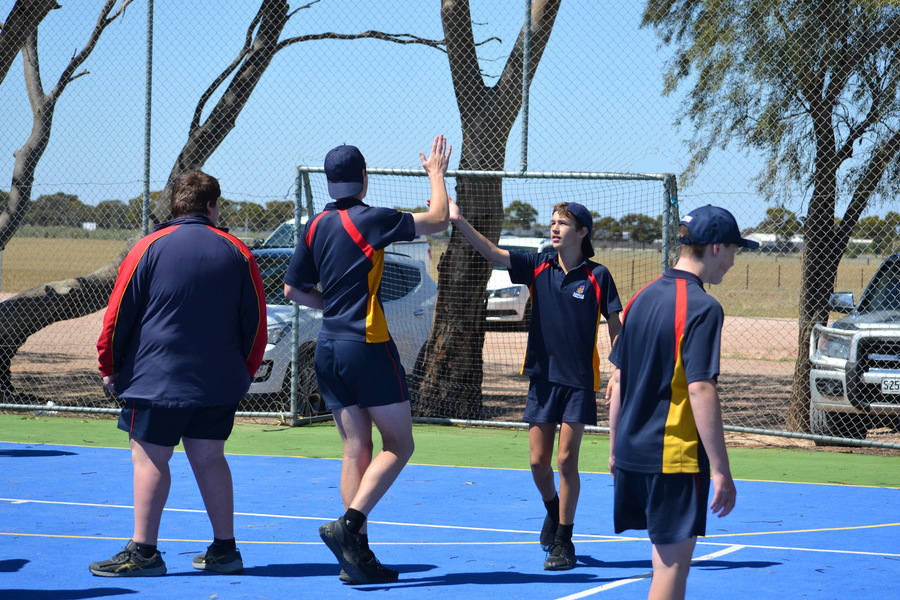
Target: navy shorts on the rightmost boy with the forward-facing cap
column 672, row 507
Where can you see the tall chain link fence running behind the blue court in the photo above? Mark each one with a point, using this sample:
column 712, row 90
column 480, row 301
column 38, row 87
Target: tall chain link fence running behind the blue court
column 99, row 121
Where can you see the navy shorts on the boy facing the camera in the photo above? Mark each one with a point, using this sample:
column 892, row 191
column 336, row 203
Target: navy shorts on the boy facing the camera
column 554, row 403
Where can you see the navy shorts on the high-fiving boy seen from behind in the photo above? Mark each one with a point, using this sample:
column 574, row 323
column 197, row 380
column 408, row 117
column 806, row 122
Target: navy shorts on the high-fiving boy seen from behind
column 359, row 374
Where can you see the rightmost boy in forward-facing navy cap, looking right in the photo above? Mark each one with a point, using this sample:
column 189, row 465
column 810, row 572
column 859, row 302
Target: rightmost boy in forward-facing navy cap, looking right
column 664, row 412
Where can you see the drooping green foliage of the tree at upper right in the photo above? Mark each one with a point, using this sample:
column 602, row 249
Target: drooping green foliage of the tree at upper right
column 797, row 80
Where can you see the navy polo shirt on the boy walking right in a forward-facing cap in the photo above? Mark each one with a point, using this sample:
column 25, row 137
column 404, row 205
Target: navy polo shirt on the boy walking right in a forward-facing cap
column 670, row 337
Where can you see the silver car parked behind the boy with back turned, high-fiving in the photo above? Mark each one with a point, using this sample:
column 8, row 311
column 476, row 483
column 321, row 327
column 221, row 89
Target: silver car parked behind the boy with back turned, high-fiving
column 407, row 293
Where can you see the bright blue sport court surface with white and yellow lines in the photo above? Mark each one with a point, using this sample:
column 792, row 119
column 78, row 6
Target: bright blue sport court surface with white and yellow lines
column 453, row 532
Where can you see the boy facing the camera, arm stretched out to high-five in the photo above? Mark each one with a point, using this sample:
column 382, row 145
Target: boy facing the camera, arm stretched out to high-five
column 569, row 294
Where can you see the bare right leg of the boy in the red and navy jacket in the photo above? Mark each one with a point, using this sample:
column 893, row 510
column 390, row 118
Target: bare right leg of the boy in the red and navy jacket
column 213, row 475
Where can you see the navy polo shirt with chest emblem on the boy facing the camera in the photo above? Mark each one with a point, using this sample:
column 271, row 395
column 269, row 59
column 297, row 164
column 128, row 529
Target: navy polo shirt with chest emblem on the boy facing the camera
column 565, row 317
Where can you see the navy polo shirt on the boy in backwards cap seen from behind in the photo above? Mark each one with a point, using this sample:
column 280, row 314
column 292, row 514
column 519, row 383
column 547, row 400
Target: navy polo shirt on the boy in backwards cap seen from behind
column 343, row 248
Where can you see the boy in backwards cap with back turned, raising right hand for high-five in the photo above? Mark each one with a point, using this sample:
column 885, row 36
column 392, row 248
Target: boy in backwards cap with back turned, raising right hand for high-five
column 358, row 367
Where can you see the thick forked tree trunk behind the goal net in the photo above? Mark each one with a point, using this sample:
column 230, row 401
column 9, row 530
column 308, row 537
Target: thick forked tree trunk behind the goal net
column 448, row 376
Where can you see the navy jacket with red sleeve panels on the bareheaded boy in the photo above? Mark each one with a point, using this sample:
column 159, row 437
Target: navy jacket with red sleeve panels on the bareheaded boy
column 186, row 321
